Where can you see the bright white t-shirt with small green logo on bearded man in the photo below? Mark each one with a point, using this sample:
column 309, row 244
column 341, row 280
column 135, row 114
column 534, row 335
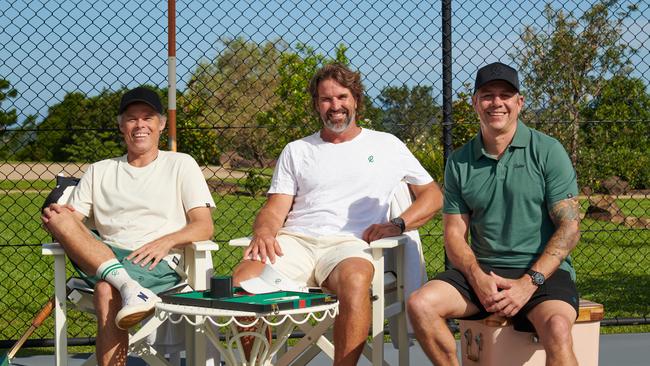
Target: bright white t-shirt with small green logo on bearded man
column 341, row 189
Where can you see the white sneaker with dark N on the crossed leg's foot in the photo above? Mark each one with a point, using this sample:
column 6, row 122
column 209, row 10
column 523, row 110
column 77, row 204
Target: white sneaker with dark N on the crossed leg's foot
column 137, row 303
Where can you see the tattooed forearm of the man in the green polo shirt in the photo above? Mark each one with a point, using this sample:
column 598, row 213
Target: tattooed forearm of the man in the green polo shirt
column 566, row 217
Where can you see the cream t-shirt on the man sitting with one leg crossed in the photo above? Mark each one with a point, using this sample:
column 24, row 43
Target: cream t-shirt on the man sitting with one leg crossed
column 131, row 206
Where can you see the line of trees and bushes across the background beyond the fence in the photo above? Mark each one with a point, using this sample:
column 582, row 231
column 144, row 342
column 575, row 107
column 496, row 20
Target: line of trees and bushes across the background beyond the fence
column 251, row 99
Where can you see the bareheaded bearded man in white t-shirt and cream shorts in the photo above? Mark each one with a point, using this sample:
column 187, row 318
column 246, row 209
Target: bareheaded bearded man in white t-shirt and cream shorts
column 329, row 197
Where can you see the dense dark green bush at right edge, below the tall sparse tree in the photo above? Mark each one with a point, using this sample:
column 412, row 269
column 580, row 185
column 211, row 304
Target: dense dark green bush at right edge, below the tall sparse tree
column 616, row 136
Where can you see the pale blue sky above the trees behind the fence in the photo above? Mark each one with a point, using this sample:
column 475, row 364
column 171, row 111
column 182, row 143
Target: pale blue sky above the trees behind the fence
column 49, row 48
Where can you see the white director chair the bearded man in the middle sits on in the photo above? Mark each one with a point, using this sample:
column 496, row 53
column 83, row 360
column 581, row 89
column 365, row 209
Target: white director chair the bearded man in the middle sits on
column 397, row 260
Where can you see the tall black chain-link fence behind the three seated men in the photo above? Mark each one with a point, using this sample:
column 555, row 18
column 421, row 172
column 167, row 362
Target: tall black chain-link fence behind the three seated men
column 242, row 69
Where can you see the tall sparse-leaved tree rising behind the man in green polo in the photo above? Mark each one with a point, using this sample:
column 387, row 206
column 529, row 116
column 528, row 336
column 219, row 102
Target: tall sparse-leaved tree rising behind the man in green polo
column 567, row 63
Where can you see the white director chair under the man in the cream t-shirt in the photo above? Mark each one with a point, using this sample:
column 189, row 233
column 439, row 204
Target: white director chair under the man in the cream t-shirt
column 198, row 266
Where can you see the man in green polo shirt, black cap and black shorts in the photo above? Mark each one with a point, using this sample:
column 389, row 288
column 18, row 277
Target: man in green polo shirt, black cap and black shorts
column 513, row 191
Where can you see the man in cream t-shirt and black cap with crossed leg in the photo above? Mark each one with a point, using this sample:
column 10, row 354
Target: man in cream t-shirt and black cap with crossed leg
column 145, row 205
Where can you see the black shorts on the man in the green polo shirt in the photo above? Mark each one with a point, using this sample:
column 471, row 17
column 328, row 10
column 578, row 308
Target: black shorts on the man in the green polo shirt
column 559, row 286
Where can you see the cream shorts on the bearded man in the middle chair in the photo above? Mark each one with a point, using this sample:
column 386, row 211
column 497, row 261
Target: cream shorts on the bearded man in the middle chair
column 309, row 260
